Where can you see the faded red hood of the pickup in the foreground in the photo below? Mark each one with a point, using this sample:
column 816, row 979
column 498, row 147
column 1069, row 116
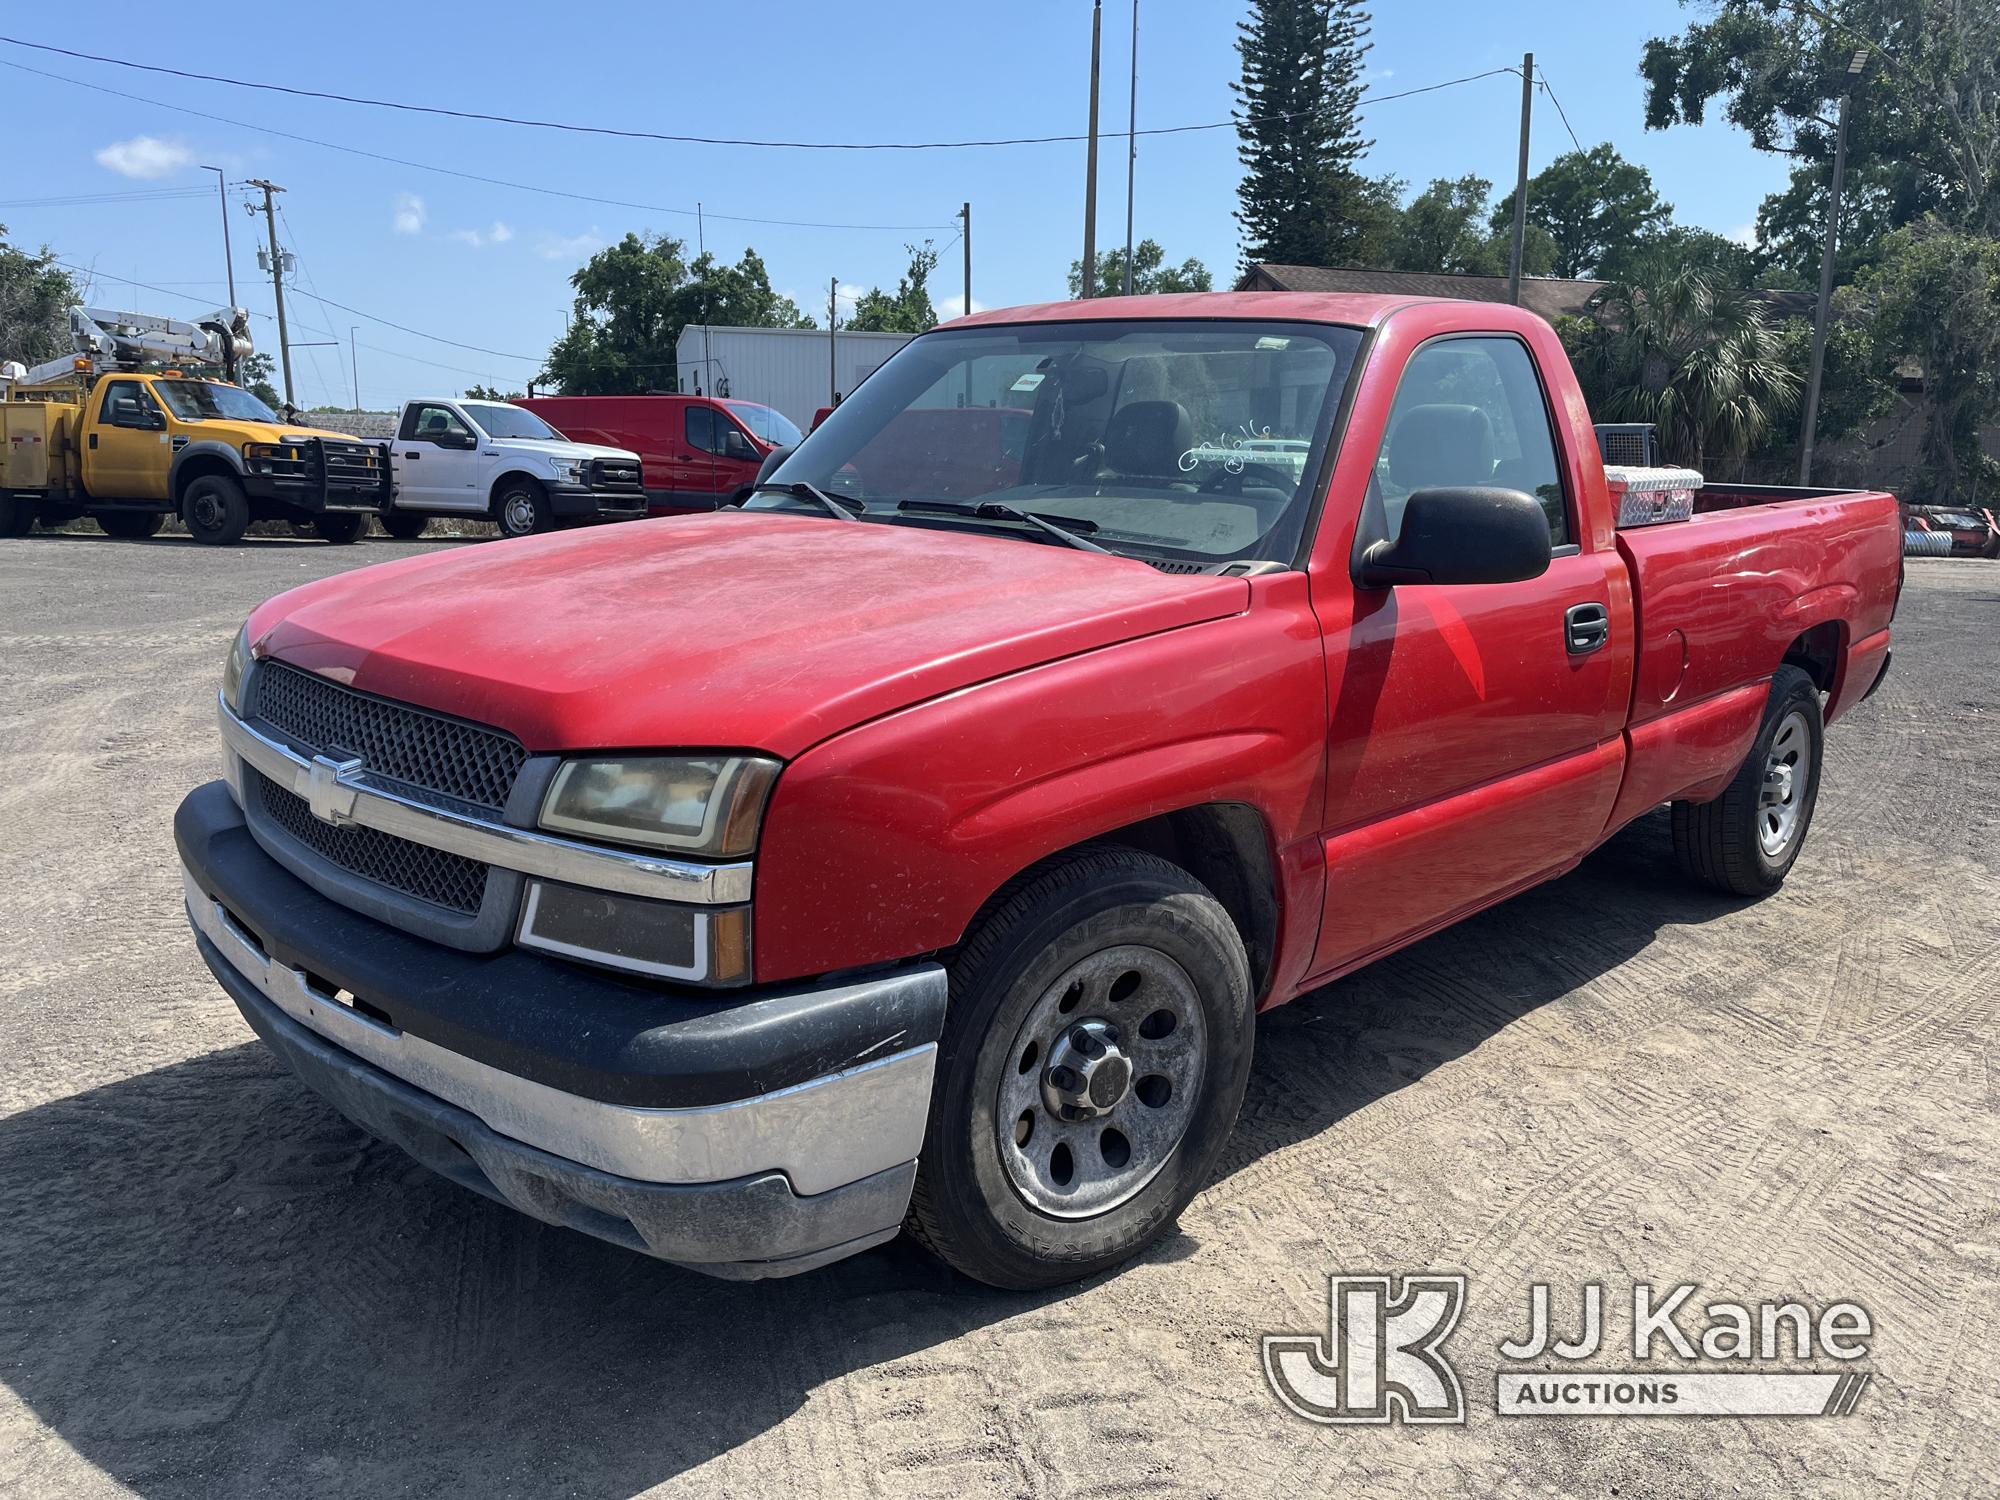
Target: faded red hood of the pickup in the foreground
column 741, row 631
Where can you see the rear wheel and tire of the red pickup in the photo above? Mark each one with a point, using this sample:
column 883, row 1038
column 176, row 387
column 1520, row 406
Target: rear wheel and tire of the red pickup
column 1749, row 839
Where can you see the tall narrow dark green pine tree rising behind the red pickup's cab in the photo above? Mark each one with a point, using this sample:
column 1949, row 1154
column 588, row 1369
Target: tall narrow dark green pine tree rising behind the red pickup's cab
column 1303, row 199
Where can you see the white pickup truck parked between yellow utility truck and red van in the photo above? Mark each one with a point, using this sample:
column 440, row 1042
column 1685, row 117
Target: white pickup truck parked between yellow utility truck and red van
column 505, row 465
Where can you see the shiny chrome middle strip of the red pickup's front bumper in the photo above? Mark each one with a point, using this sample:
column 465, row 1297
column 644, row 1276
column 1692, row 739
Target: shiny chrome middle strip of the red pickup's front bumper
column 821, row 1135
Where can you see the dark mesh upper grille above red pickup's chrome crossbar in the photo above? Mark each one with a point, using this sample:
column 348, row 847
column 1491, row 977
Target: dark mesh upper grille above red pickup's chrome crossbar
column 419, row 749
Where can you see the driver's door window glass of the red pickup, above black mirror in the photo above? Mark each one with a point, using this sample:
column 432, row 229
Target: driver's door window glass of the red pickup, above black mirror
column 1471, row 411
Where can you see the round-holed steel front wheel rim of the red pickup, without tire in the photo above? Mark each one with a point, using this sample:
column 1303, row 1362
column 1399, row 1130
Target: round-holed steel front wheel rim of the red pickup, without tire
column 1143, row 1011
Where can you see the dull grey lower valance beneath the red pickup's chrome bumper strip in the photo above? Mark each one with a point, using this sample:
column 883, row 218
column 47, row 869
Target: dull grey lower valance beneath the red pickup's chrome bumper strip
column 745, row 1229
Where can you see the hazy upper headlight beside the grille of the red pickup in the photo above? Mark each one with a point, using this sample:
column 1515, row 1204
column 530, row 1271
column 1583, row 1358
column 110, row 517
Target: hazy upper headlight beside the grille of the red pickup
column 699, row 805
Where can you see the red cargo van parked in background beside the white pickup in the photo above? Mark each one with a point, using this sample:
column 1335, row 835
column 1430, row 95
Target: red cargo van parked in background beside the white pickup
column 697, row 451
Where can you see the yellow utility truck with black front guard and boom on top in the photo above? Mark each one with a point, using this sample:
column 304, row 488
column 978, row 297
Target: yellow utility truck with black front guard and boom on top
column 129, row 433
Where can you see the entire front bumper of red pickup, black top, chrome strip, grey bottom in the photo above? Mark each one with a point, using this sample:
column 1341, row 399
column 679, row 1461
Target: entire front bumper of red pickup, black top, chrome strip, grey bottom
column 755, row 1135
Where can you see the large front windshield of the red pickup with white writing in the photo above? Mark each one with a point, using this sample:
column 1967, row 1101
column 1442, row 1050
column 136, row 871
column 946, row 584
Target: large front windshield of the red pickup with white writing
column 1161, row 439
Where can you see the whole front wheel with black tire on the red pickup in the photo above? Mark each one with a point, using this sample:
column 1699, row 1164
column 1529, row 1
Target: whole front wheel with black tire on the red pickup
column 1103, row 943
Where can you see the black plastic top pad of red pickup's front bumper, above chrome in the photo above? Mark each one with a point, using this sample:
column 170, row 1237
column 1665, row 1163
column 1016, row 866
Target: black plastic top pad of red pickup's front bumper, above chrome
column 573, row 1029
